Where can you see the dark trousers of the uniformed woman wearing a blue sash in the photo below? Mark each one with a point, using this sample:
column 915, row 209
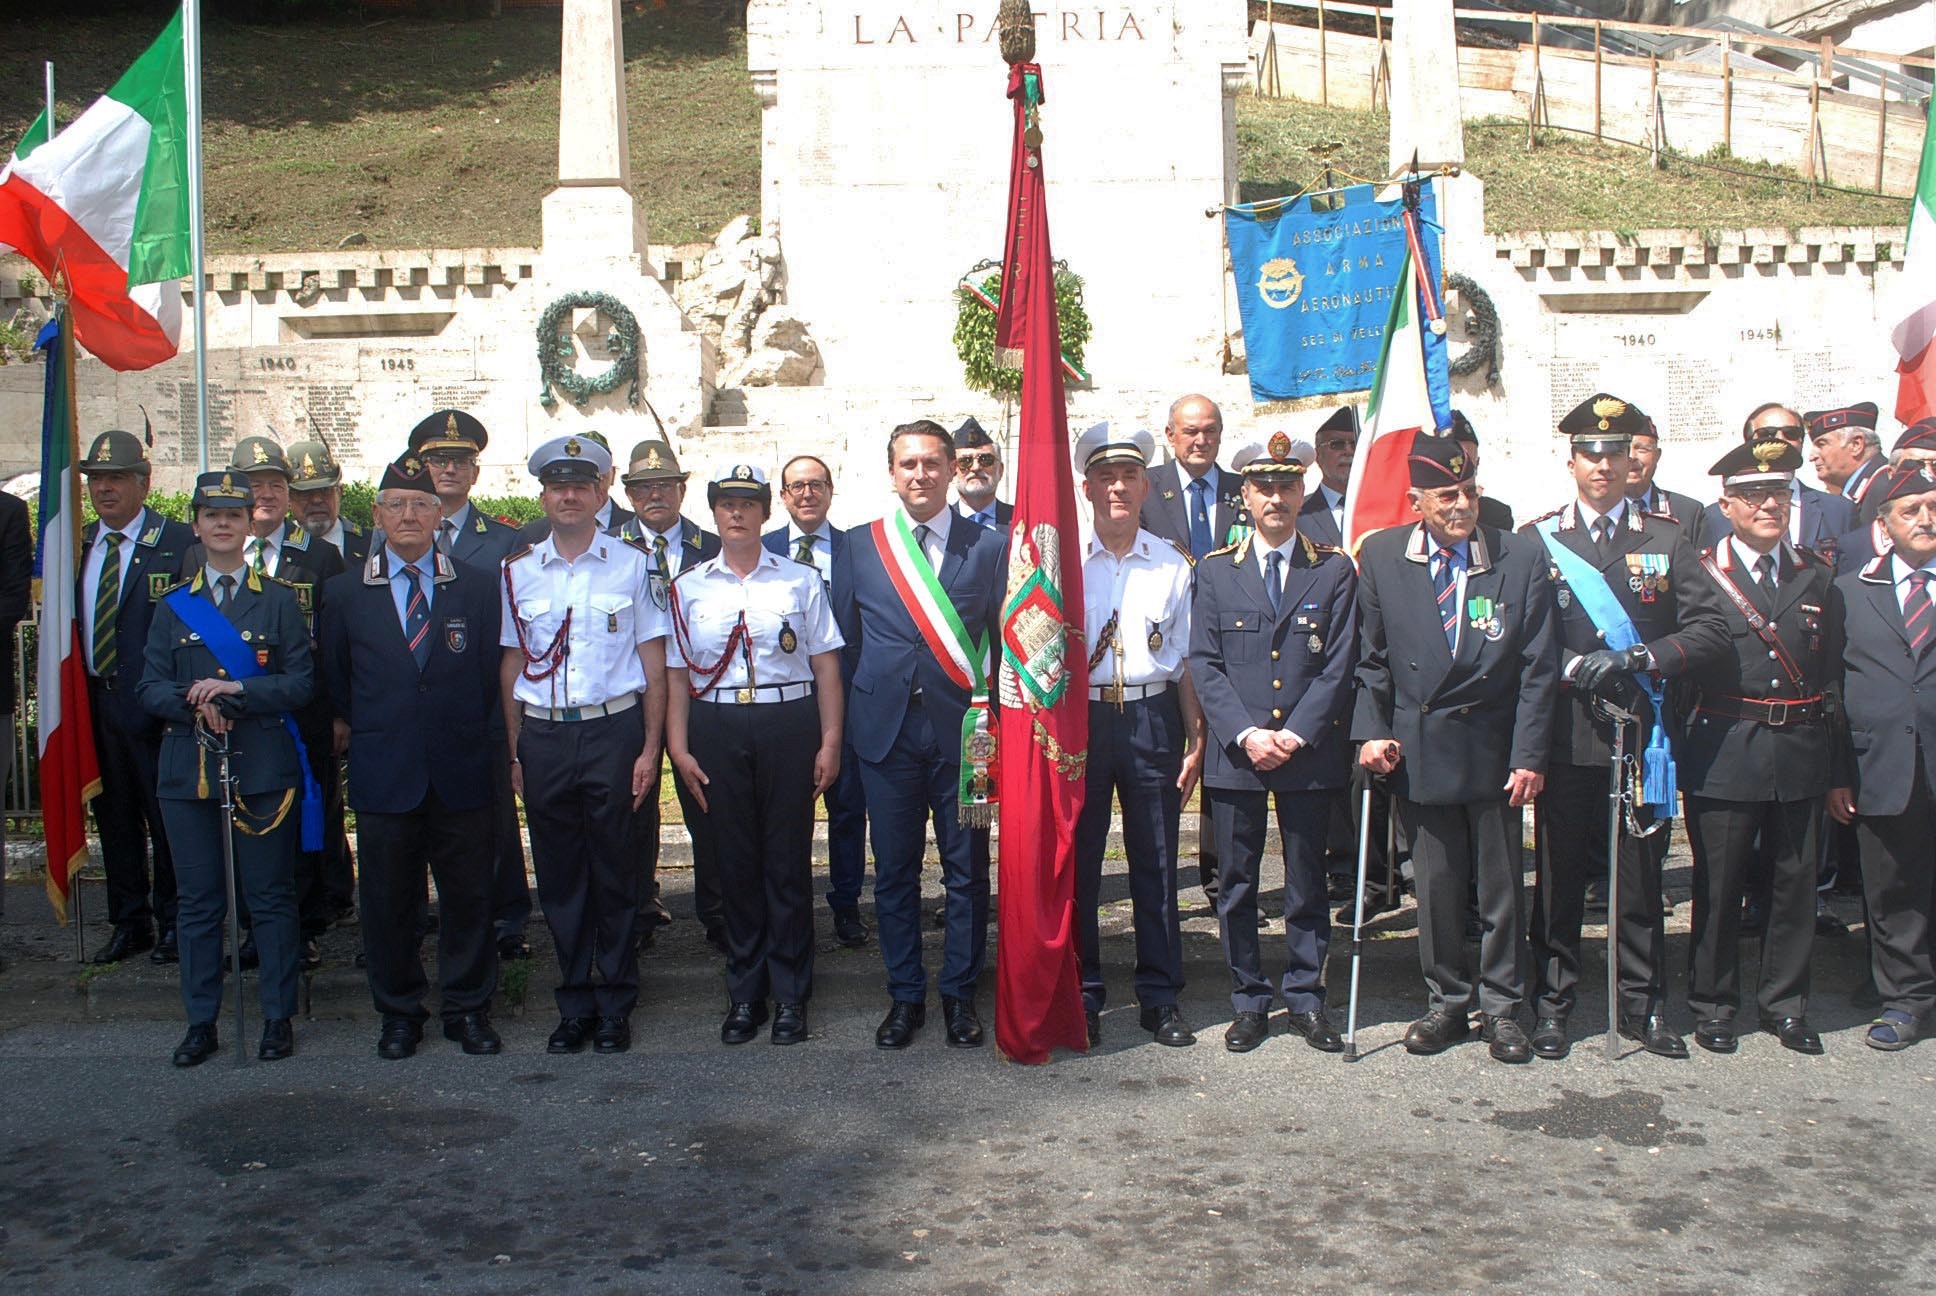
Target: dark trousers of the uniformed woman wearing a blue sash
column 266, row 884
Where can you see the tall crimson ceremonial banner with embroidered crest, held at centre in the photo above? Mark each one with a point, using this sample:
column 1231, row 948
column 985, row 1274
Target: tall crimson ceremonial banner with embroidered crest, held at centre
column 1043, row 683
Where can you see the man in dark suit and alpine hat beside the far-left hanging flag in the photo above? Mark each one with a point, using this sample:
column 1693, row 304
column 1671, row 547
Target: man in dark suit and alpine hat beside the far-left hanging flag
column 129, row 557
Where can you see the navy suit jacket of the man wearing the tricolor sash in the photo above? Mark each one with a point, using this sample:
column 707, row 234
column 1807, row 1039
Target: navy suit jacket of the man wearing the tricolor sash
column 886, row 654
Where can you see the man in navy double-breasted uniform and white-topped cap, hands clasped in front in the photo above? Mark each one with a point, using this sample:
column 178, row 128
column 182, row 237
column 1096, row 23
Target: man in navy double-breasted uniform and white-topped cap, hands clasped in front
column 1273, row 642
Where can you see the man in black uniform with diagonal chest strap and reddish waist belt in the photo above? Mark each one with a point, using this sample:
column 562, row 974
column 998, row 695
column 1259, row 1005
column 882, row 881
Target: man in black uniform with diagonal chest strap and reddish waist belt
column 1757, row 753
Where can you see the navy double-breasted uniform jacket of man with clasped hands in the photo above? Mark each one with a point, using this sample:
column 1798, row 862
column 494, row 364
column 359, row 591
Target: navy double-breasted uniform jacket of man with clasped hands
column 1288, row 671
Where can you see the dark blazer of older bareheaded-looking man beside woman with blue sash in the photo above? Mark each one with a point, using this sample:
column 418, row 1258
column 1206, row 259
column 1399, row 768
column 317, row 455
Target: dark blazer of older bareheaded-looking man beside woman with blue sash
column 413, row 729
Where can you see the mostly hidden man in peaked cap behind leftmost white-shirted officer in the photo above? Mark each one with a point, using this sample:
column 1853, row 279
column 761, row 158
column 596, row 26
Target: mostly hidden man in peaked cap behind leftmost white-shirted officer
column 450, row 445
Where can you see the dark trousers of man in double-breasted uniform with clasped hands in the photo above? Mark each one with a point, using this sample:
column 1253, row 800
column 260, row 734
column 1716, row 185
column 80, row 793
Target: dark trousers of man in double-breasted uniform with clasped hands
column 1242, row 822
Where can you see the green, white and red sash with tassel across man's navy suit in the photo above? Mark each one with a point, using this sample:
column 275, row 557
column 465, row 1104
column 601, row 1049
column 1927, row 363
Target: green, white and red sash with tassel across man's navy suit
column 963, row 660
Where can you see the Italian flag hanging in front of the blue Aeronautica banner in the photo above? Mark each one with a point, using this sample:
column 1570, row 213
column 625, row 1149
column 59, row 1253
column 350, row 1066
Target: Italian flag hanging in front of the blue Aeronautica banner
column 1408, row 396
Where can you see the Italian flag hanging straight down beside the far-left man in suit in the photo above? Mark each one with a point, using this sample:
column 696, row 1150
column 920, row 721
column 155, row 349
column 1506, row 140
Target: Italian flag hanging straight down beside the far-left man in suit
column 71, row 774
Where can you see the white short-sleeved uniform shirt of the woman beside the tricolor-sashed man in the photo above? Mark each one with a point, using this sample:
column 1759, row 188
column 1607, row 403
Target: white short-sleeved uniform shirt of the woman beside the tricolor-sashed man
column 781, row 600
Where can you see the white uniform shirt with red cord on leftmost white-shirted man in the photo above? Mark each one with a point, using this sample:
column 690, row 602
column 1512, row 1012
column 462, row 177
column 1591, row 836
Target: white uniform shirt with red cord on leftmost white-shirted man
column 613, row 613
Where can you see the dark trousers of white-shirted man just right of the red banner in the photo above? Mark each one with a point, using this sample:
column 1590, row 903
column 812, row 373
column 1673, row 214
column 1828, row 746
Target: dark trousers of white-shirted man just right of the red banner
column 1135, row 755
